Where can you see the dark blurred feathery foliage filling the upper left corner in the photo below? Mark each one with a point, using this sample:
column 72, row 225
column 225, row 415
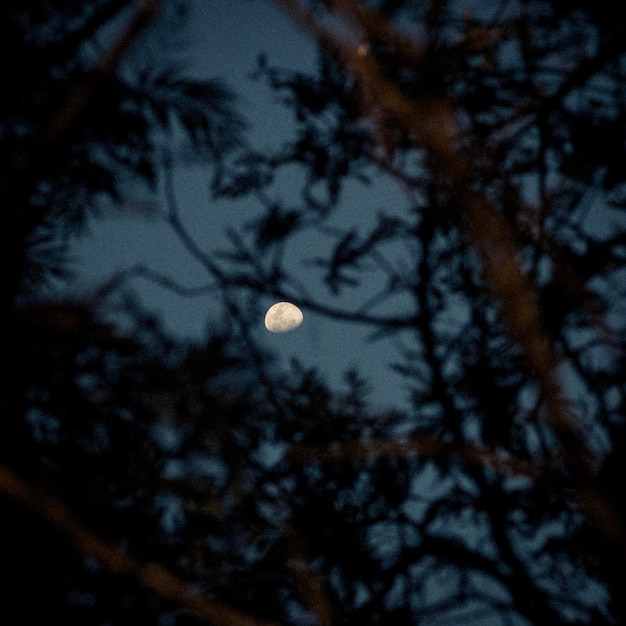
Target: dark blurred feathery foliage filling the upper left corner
column 75, row 132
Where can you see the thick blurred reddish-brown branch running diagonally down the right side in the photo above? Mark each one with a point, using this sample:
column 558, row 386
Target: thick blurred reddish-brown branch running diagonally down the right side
column 431, row 121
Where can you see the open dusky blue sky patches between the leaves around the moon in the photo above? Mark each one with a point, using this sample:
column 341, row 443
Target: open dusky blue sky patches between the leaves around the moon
column 223, row 41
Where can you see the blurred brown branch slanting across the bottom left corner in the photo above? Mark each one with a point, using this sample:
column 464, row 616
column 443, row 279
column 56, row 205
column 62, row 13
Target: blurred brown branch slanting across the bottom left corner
column 150, row 575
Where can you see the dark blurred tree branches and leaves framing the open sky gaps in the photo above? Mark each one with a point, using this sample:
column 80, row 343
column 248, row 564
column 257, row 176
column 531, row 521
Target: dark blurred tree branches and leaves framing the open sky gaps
column 152, row 480
